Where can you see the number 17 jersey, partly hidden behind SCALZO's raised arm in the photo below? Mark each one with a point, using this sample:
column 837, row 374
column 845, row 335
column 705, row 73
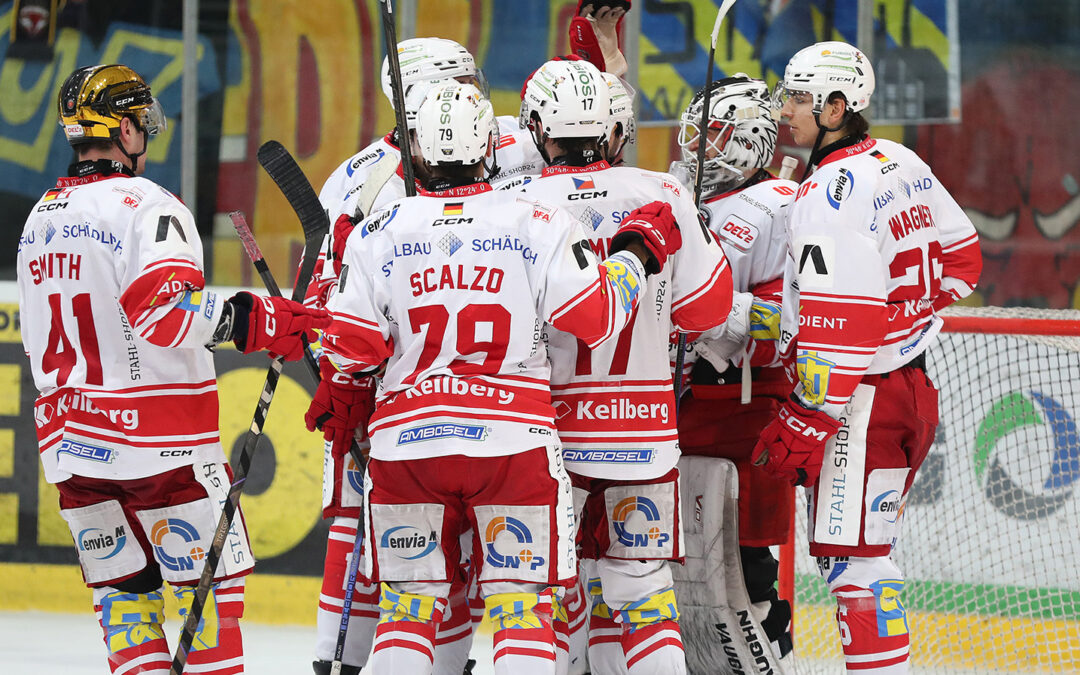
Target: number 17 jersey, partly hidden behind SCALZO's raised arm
column 616, row 404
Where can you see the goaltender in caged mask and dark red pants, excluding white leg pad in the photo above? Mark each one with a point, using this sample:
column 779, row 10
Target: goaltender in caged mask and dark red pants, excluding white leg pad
column 747, row 209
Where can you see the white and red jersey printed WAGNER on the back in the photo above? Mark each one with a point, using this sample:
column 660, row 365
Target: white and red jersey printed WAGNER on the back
column 879, row 246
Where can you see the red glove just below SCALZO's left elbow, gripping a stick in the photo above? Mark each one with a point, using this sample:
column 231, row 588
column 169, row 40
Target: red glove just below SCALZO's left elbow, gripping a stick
column 343, row 404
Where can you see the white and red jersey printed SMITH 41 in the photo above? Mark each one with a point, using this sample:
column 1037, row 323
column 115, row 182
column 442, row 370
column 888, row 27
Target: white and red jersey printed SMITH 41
column 115, row 321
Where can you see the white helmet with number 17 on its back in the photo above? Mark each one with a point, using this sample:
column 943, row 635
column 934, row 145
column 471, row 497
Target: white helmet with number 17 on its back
column 566, row 100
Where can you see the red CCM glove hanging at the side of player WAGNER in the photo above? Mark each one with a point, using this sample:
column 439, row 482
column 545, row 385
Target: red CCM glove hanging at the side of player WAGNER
column 793, row 445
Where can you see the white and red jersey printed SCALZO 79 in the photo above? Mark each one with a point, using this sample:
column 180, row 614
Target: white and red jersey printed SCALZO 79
column 454, row 289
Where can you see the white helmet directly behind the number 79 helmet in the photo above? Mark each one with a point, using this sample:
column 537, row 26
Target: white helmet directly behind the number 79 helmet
column 426, row 62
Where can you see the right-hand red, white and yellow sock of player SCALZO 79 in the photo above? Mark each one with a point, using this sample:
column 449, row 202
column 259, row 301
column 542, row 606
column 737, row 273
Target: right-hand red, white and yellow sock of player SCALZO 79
column 524, row 637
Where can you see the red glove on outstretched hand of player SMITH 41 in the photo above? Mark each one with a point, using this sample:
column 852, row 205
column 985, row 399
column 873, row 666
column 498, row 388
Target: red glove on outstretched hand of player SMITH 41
column 275, row 325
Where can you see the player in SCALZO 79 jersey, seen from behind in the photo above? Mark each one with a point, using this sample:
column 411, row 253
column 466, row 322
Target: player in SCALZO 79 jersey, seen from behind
column 453, row 289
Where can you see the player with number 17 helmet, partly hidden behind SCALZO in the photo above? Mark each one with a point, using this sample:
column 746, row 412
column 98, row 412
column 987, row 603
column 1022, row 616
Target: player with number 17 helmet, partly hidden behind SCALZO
column 615, row 404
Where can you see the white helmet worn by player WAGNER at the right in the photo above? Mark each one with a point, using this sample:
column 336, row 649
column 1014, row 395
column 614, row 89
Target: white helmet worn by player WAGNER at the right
column 827, row 67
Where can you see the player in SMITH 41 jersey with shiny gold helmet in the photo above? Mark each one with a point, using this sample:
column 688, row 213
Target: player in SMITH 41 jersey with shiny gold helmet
column 116, row 322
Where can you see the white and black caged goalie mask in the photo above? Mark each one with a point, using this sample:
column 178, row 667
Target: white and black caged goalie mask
column 742, row 132
